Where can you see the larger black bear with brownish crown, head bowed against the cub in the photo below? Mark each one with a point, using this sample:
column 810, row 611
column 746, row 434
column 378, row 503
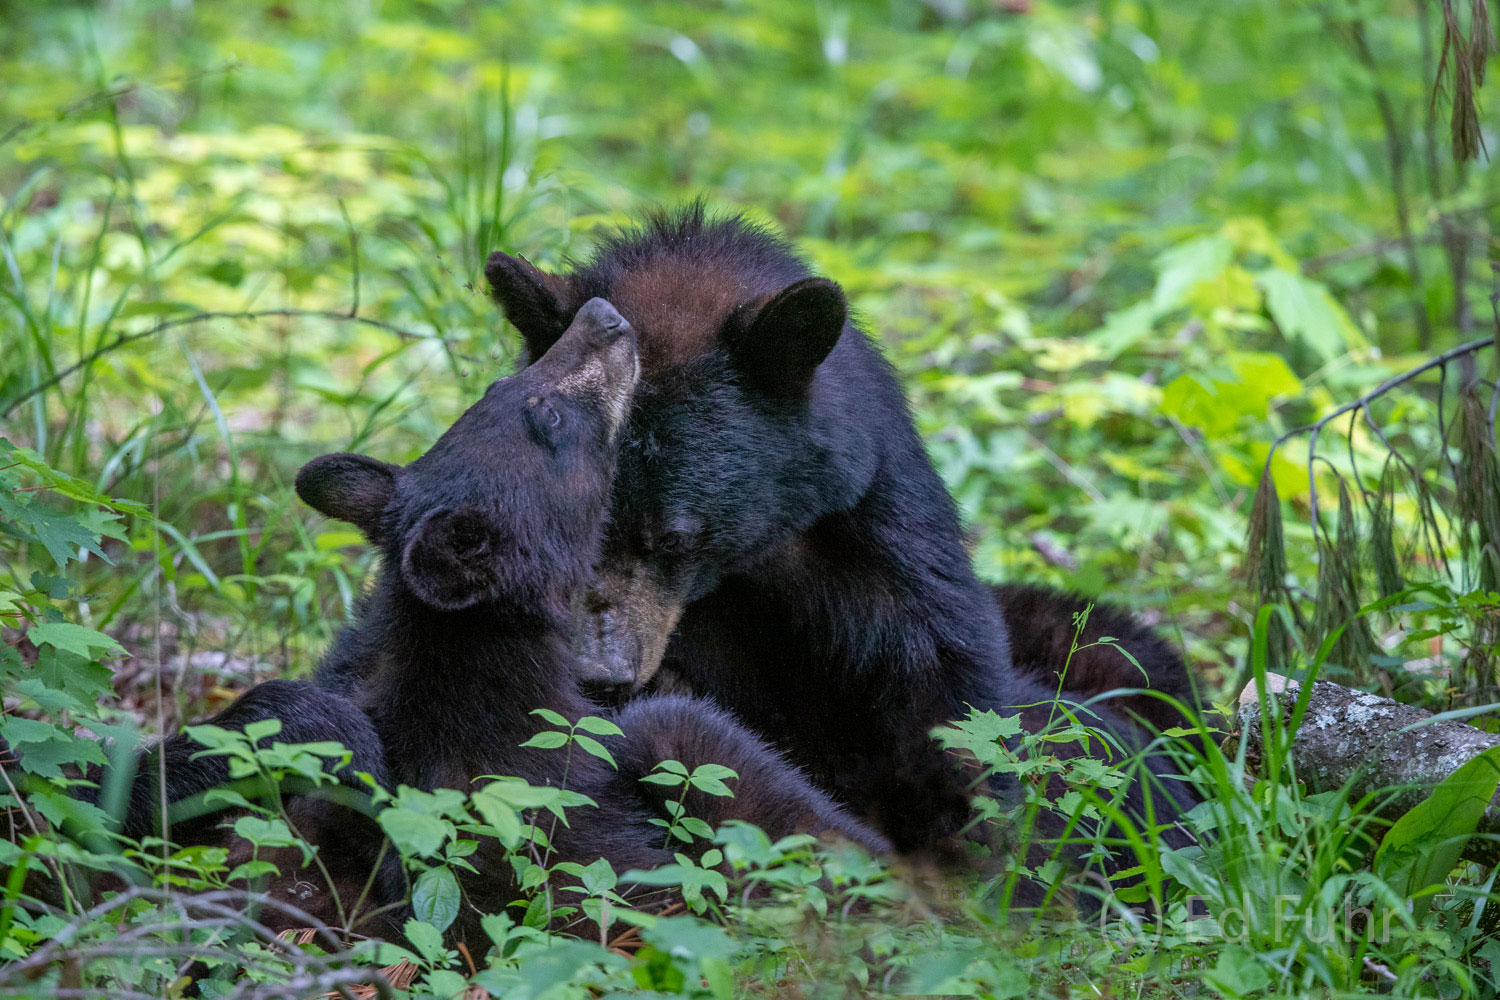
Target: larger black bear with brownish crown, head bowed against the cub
column 779, row 537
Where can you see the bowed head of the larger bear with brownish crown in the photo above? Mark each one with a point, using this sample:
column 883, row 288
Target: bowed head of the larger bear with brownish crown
column 743, row 433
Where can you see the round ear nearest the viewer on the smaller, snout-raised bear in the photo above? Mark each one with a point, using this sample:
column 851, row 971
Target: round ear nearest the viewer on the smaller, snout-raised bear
column 454, row 560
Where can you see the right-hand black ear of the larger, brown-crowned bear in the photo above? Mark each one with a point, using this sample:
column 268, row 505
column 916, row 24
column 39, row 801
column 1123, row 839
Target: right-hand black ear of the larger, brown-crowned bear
column 779, row 346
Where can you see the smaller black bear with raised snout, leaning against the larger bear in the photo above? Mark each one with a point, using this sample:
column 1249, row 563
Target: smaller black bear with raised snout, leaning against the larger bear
column 487, row 539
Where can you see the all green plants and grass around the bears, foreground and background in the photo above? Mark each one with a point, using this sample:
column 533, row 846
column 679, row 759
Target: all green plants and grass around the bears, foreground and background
column 1126, row 256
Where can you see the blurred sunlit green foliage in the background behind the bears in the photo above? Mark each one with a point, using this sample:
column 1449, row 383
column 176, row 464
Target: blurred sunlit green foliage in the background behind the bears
column 1115, row 247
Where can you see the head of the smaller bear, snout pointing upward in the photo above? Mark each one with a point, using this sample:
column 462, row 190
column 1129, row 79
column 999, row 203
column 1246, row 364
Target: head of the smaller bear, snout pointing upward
column 508, row 507
